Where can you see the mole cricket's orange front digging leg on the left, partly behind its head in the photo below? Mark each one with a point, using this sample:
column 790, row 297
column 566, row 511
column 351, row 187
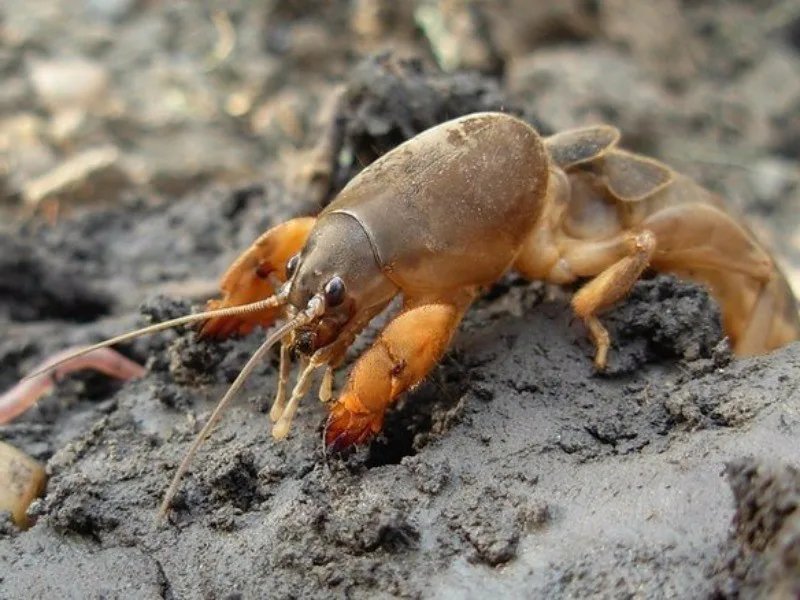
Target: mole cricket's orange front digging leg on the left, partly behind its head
column 253, row 276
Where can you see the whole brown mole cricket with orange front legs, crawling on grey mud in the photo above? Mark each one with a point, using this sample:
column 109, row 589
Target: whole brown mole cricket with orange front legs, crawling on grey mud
column 449, row 212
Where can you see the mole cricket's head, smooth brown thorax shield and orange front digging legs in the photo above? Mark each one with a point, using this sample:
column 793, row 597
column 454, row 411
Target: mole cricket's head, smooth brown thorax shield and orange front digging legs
column 434, row 220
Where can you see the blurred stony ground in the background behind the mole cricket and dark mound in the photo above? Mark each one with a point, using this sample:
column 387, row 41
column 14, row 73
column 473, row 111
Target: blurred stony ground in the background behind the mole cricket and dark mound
column 104, row 98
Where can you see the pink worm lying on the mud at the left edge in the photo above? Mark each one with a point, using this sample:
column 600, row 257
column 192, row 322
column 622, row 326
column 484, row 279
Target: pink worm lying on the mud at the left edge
column 22, row 396
